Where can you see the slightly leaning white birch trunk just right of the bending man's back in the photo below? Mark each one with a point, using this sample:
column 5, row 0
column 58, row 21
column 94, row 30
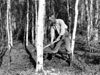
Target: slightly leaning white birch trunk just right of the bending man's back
column 75, row 27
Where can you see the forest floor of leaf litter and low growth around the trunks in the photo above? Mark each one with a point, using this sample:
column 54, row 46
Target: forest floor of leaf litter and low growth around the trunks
column 20, row 64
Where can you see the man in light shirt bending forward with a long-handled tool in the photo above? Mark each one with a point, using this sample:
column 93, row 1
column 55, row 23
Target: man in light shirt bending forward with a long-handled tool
column 59, row 27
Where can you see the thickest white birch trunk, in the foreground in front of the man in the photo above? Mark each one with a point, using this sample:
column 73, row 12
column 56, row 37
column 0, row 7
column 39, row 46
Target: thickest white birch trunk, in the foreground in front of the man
column 40, row 36
